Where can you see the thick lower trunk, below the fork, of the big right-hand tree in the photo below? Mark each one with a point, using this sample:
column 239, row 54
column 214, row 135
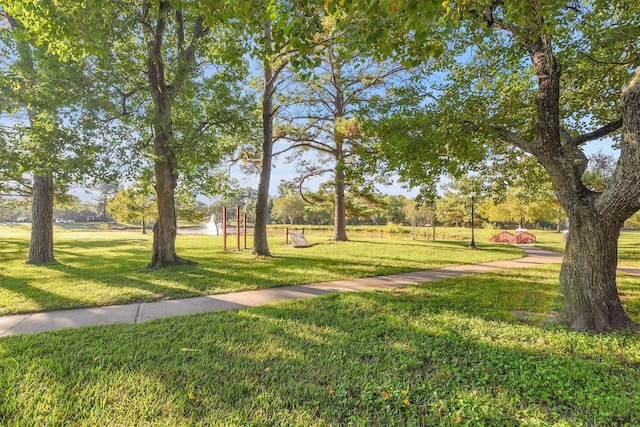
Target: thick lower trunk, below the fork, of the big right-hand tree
column 588, row 274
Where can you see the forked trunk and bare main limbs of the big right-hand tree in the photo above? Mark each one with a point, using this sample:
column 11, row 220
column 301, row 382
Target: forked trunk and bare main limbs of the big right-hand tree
column 588, row 274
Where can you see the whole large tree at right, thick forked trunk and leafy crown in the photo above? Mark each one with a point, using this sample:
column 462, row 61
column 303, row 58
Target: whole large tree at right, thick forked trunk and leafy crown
column 545, row 78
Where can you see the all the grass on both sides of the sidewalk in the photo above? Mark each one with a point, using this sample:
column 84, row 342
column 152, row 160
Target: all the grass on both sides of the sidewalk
column 477, row 350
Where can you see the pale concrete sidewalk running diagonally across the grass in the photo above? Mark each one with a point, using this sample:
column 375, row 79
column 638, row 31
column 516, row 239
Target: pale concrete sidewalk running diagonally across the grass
column 140, row 312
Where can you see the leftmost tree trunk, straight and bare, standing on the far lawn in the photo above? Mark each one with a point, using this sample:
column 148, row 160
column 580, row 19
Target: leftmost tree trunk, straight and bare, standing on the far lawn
column 41, row 246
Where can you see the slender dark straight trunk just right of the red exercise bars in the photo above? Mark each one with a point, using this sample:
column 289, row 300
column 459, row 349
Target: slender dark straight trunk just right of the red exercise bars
column 260, row 242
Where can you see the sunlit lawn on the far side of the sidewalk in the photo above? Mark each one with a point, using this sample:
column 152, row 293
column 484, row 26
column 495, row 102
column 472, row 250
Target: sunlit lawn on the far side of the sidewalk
column 107, row 267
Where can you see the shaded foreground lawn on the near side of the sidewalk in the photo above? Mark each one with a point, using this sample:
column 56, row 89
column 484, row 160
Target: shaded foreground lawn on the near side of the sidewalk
column 477, row 350
